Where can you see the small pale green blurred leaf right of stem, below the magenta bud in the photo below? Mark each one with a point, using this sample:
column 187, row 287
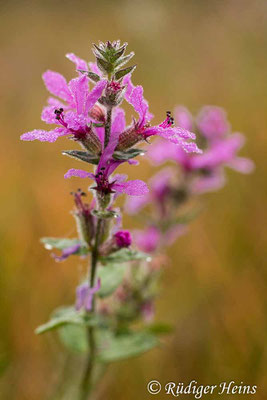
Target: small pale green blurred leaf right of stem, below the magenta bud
column 111, row 276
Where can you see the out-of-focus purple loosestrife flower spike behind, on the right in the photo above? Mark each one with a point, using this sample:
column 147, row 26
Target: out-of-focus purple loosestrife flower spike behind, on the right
column 173, row 189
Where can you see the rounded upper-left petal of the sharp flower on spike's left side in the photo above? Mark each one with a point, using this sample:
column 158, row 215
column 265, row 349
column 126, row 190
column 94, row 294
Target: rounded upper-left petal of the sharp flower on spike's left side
column 57, row 85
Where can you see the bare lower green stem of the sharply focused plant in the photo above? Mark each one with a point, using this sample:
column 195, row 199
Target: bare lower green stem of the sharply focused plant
column 86, row 384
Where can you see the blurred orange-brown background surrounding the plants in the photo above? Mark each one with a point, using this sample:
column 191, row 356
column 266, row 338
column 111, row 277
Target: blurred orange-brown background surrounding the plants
column 191, row 52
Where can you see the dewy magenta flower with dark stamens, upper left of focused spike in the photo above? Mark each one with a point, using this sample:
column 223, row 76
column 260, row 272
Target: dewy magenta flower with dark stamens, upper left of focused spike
column 71, row 116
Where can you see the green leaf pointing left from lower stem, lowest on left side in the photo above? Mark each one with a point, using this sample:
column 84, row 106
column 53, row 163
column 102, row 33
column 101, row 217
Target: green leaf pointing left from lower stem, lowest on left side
column 63, row 316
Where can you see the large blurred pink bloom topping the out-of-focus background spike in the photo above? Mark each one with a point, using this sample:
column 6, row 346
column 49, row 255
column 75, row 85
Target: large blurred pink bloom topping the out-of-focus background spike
column 206, row 170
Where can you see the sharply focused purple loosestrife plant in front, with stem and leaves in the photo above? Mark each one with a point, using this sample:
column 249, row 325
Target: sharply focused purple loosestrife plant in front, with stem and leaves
column 119, row 287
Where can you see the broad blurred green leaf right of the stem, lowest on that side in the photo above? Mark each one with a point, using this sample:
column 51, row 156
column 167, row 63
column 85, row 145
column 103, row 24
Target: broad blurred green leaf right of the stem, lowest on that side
column 131, row 344
